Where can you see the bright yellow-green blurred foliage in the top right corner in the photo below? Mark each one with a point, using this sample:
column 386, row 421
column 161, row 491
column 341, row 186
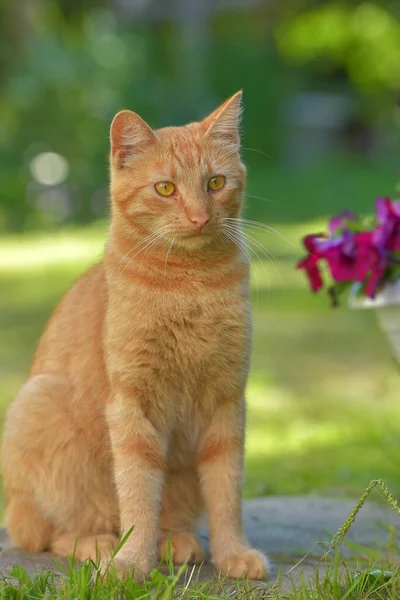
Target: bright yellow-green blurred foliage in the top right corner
column 363, row 37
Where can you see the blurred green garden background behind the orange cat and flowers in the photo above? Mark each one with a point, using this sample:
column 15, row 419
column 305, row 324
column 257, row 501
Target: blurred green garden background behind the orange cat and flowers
column 320, row 129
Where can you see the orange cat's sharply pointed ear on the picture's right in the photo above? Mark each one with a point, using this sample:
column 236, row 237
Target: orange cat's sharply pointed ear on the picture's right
column 223, row 124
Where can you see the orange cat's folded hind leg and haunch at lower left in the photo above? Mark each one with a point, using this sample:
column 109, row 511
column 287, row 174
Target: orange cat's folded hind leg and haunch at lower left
column 56, row 475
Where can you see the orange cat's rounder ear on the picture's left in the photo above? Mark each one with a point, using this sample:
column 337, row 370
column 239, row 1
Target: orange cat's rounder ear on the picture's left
column 130, row 136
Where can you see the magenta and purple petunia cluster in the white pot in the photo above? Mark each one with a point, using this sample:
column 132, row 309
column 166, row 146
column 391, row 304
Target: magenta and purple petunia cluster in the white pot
column 356, row 253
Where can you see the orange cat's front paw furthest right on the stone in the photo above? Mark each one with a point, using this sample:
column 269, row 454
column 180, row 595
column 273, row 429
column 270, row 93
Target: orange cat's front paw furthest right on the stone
column 248, row 563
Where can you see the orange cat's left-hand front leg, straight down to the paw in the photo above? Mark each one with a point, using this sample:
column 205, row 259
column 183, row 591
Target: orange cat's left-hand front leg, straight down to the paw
column 139, row 455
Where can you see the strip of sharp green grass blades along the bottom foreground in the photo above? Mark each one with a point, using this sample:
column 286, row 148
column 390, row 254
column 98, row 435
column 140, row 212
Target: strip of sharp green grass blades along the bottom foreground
column 84, row 583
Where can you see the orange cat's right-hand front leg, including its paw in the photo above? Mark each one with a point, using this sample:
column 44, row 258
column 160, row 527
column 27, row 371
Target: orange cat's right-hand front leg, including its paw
column 220, row 464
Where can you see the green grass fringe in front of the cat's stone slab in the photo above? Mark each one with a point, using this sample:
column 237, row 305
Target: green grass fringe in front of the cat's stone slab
column 327, row 580
